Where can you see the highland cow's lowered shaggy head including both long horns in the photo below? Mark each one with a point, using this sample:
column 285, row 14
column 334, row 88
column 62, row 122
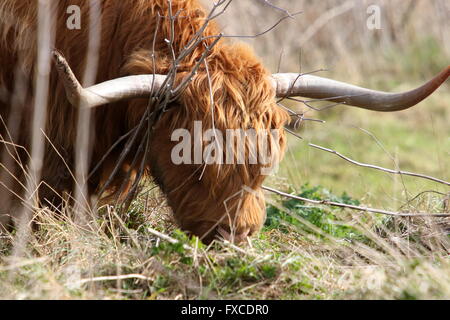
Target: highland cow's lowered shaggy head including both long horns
column 212, row 179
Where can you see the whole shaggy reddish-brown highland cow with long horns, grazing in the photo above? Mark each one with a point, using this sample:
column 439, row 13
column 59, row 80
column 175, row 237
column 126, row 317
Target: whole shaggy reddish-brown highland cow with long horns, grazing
column 224, row 85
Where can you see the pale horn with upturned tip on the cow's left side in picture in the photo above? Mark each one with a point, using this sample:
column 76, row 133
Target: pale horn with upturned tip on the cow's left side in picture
column 140, row 86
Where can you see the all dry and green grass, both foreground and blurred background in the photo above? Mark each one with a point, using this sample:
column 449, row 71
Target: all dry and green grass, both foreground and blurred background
column 303, row 251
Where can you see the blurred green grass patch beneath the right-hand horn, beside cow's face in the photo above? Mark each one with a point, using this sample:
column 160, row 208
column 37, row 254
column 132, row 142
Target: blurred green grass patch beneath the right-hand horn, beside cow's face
column 393, row 141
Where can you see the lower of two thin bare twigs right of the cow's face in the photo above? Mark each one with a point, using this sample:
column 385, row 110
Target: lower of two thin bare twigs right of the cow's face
column 353, row 207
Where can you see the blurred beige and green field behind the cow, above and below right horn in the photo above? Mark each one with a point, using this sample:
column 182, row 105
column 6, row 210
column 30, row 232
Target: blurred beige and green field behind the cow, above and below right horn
column 412, row 45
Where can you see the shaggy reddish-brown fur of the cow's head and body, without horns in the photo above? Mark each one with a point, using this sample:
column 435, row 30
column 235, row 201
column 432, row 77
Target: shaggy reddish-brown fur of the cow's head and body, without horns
column 242, row 94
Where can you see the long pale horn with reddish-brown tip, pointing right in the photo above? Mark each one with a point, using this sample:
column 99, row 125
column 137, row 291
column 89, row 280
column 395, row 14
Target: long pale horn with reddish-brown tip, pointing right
column 291, row 84
